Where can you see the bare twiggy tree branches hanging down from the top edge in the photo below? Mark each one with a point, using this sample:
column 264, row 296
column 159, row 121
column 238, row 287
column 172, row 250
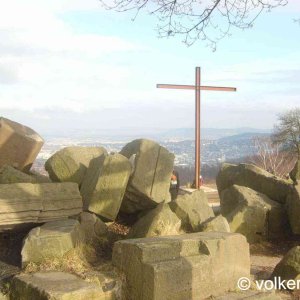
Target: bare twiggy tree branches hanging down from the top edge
column 206, row 20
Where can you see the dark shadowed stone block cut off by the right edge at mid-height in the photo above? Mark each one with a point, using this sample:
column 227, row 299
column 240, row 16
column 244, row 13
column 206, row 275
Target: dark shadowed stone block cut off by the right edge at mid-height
column 293, row 208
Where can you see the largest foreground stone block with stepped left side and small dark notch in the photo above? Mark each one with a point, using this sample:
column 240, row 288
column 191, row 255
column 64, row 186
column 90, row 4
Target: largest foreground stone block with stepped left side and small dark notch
column 189, row 266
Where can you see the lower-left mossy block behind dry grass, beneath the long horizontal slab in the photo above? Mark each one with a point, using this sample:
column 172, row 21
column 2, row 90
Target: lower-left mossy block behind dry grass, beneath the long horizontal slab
column 51, row 240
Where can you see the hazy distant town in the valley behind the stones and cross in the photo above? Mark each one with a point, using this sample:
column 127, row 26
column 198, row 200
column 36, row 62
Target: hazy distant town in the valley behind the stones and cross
column 214, row 151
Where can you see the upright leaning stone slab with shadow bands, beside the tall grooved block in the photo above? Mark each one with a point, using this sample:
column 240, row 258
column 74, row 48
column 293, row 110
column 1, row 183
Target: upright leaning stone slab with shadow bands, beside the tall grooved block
column 104, row 185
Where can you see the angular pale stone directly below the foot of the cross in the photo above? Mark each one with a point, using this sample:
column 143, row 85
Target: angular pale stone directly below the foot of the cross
column 192, row 209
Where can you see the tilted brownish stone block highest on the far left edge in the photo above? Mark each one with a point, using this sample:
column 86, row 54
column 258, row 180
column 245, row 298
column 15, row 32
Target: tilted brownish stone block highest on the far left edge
column 19, row 145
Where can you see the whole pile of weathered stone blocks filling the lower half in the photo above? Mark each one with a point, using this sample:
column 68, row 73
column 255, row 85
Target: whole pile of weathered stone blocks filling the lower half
column 175, row 249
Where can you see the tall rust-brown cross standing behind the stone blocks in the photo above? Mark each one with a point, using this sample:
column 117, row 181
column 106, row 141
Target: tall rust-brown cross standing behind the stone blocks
column 197, row 88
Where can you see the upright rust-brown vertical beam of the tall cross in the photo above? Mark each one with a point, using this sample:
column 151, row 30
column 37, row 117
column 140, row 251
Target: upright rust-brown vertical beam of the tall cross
column 197, row 127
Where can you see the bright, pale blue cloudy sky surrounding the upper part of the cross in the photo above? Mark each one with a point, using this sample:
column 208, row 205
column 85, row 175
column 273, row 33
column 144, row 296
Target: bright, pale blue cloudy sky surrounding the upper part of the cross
column 72, row 65
